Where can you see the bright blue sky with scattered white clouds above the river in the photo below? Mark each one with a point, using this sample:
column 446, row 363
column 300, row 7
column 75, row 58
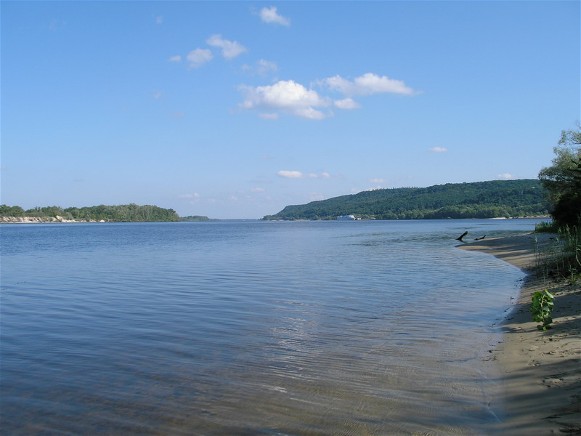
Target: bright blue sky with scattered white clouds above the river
column 237, row 109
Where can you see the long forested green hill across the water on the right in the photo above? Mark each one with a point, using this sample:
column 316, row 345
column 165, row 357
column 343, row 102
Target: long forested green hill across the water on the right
column 498, row 198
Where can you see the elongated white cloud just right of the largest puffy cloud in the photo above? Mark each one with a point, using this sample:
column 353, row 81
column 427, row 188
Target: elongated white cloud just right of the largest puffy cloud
column 367, row 84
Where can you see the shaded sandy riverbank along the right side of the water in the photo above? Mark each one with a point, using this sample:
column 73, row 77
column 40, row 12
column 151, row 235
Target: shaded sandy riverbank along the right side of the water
column 541, row 371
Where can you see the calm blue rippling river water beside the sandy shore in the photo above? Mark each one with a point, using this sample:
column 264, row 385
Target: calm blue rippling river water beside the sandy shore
column 250, row 327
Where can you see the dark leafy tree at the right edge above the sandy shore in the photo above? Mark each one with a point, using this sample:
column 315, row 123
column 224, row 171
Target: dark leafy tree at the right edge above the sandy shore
column 563, row 179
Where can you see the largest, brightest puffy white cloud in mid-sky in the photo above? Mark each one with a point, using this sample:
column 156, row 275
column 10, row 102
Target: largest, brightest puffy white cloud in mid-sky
column 287, row 96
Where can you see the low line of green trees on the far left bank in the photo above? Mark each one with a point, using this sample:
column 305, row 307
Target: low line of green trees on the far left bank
column 129, row 212
